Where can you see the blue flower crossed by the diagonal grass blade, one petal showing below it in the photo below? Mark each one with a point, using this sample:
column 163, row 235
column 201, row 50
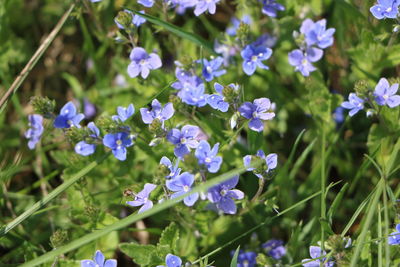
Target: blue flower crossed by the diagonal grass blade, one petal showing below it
column 181, row 185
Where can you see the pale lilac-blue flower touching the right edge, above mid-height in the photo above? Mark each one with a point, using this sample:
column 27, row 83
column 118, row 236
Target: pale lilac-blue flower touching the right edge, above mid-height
column 386, row 94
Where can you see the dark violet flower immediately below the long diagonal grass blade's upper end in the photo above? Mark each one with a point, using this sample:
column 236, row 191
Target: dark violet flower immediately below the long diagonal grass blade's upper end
column 223, row 195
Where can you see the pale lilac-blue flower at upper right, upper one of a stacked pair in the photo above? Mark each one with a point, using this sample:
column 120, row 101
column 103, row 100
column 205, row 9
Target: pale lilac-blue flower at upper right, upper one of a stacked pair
column 317, row 34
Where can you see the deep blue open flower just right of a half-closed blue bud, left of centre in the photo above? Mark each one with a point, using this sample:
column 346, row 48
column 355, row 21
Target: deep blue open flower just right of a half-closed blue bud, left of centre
column 118, row 142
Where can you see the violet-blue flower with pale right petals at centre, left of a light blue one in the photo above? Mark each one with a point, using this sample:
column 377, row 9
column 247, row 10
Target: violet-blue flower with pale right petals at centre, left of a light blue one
column 183, row 139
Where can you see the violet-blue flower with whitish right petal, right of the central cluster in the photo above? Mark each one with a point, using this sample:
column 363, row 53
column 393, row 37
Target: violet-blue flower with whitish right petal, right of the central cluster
column 257, row 111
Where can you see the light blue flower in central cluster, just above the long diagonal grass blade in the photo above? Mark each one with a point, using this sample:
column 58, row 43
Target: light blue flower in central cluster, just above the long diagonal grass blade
column 208, row 157
